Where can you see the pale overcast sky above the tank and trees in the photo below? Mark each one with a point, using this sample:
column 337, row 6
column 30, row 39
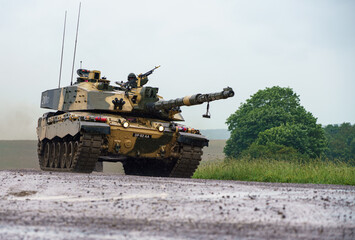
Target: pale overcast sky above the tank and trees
column 202, row 46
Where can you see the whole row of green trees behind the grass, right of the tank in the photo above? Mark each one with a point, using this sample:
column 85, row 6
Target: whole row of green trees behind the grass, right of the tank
column 273, row 124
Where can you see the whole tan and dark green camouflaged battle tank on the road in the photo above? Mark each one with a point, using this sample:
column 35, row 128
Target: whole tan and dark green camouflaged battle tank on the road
column 130, row 123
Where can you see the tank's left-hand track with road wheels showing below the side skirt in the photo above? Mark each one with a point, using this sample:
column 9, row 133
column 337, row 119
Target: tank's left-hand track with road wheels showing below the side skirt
column 75, row 154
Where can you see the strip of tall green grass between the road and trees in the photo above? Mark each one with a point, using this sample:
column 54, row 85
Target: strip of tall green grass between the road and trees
column 261, row 170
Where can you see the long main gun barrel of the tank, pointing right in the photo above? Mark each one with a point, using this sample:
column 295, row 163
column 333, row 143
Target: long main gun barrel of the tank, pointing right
column 191, row 100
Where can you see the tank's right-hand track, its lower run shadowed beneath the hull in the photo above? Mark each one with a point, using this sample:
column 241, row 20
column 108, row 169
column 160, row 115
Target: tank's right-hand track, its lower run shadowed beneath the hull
column 183, row 167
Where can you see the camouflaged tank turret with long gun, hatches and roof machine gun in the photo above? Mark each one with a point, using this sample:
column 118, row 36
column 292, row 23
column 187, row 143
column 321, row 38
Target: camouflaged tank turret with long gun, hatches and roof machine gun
column 93, row 93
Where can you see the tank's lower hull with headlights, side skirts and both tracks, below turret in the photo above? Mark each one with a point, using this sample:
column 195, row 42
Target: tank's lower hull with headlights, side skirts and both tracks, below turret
column 81, row 141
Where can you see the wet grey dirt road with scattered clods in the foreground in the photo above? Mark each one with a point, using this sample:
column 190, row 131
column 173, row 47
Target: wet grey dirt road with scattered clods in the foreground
column 50, row 205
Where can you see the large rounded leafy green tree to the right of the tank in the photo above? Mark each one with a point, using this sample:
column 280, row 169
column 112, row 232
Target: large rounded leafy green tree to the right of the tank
column 274, row 115
